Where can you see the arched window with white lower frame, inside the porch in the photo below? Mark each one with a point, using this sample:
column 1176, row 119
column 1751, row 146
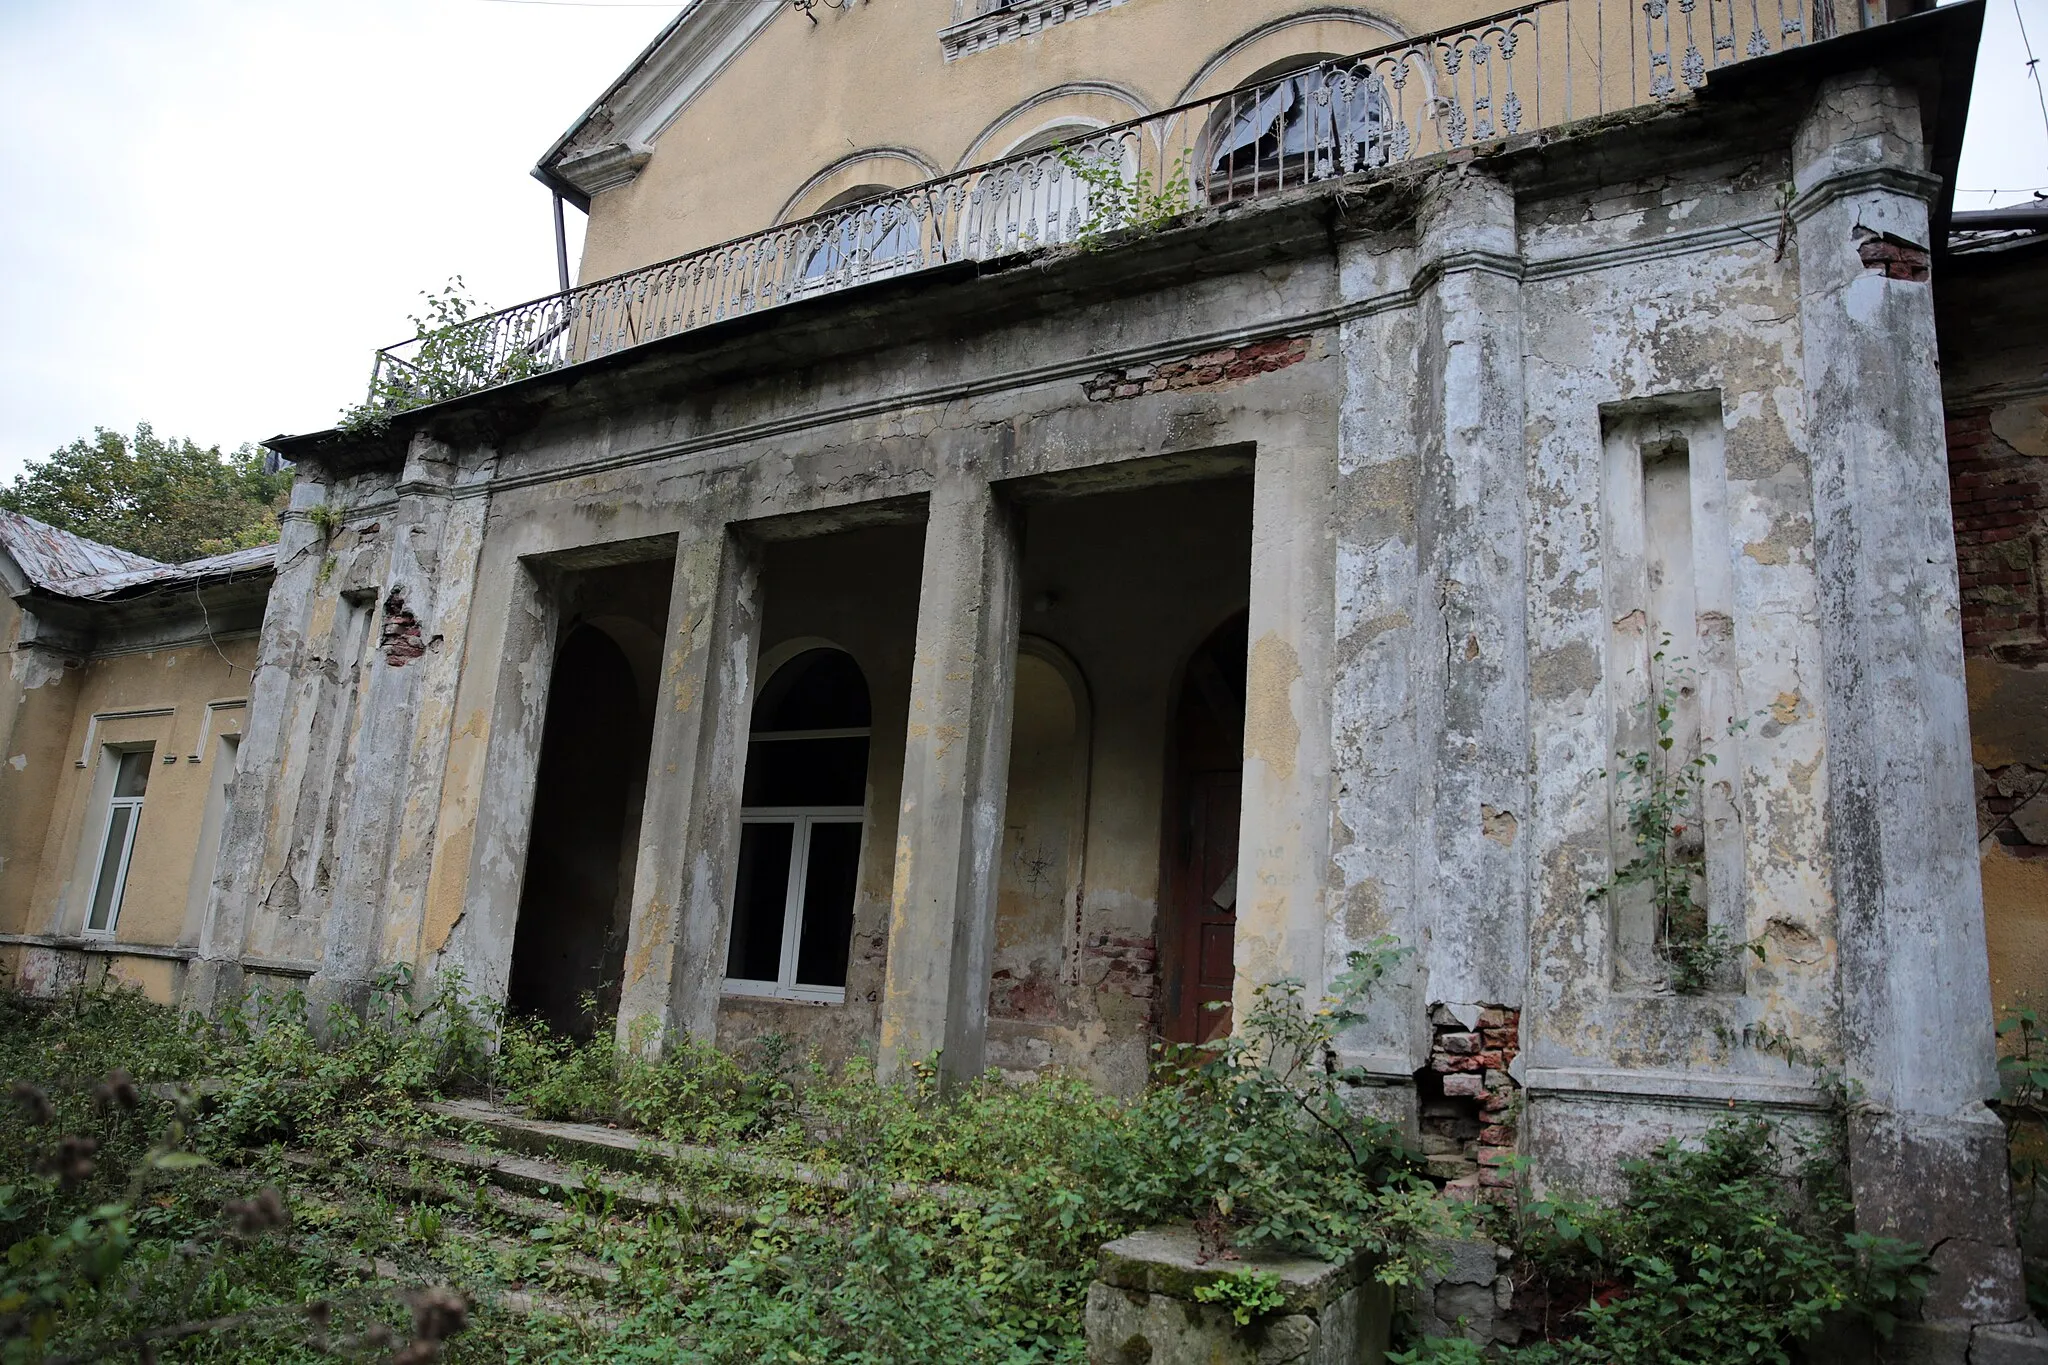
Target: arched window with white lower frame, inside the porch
column 800, row 832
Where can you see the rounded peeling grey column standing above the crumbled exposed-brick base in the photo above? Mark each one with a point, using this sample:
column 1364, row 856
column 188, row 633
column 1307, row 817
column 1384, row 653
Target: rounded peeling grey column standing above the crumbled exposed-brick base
column 1471, row 660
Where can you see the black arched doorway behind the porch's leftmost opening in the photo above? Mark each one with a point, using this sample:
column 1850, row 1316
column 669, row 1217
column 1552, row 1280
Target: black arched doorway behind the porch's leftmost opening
column 577, row 901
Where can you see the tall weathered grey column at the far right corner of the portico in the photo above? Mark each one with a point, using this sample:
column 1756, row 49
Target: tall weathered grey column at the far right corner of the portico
column 1926, row 1157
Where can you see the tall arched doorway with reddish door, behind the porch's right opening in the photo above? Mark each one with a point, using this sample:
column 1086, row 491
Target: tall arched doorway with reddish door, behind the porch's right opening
column 1205, row 783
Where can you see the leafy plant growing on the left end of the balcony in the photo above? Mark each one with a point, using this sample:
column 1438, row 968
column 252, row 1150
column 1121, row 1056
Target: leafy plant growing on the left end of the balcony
column 452, row 357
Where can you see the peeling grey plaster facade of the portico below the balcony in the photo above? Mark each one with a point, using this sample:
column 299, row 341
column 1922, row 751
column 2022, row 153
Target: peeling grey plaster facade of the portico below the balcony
column 1441, row 660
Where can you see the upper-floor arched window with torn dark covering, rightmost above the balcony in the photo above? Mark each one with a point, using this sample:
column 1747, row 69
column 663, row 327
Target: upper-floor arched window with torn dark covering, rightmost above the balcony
column 1302, row 120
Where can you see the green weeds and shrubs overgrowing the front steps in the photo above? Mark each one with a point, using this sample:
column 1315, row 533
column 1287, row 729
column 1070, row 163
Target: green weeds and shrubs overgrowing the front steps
column 280, row 1219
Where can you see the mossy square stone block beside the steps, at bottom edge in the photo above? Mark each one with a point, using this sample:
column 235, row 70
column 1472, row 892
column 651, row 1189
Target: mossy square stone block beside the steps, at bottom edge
column 1142, row 1311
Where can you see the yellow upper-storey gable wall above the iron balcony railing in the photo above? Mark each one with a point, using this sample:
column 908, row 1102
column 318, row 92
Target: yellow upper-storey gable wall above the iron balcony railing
column 869, row 91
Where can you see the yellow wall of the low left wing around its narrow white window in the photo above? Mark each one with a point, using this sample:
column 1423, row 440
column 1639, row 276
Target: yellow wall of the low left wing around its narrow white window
column 196, row 695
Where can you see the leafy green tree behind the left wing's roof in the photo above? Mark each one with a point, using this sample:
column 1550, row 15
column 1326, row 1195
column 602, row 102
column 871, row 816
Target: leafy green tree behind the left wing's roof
column 169, row 500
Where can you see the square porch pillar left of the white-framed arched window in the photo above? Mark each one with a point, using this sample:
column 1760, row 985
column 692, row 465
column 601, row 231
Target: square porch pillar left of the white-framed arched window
column 689, row 846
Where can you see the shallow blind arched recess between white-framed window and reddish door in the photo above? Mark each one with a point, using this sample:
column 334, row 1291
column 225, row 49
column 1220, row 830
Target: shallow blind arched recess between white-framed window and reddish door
column 1046, row 832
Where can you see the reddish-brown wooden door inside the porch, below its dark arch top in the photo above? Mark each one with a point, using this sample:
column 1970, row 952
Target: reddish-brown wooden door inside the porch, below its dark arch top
column 1203, row 889
